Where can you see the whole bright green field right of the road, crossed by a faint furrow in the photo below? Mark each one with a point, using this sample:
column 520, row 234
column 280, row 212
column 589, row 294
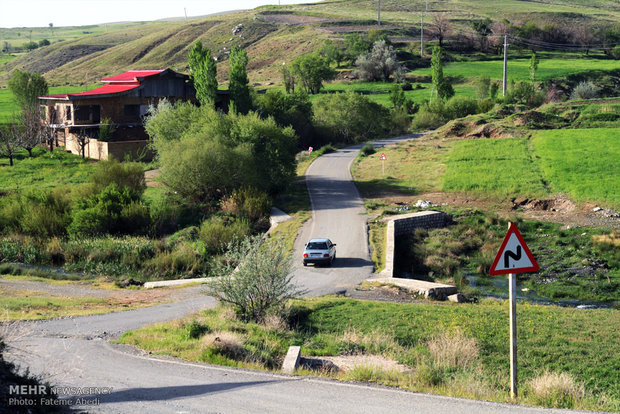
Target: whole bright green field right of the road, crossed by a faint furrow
column 581, row 162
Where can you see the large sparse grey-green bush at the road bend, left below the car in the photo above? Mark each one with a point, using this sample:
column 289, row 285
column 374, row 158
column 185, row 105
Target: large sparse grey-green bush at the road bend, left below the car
column 257, row 280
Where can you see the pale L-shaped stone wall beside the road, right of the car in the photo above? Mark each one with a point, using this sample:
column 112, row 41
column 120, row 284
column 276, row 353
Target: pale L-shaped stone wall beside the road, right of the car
column 405, row 224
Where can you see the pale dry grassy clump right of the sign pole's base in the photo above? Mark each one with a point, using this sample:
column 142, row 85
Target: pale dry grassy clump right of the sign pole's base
column 556, row 390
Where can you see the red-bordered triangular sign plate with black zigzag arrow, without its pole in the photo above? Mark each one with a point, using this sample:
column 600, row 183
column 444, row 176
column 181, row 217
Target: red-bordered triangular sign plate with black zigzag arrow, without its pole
column 513, row 256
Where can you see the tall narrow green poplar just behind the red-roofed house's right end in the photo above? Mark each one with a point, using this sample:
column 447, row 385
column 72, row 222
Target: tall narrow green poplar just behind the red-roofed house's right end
column 204, row 74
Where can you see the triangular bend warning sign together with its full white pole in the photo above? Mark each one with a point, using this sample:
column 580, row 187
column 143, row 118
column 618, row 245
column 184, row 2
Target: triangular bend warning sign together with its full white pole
column 513, row 257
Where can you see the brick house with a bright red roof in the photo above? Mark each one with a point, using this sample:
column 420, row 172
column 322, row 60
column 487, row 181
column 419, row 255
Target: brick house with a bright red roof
column 122, row 102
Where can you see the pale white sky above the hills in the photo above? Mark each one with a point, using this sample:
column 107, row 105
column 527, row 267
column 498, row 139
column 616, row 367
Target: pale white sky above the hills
column 40, row 13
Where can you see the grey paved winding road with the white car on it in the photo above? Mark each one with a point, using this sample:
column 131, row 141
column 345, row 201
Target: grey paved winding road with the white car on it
column 75, row 352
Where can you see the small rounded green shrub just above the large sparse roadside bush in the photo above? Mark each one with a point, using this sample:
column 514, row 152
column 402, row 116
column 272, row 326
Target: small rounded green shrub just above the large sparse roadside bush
column 217, row 232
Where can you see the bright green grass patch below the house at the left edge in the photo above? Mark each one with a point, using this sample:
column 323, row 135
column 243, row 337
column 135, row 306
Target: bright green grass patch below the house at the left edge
column 44, row 170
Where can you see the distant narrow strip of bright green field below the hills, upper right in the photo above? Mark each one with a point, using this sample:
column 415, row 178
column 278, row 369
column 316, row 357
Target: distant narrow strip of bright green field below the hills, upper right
column 518, row 69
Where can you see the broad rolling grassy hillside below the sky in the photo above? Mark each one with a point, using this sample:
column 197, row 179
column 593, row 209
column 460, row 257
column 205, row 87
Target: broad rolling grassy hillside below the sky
column 271, row 34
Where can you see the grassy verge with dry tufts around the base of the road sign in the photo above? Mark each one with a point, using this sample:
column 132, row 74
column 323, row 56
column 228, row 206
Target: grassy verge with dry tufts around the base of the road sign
column 429, row 339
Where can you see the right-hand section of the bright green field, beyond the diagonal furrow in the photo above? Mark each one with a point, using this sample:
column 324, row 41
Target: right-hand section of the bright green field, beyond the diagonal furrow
column 581, row 162
